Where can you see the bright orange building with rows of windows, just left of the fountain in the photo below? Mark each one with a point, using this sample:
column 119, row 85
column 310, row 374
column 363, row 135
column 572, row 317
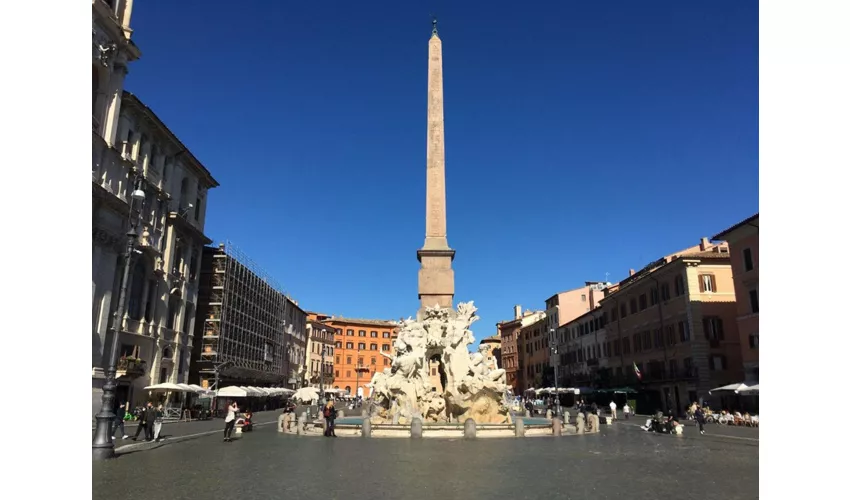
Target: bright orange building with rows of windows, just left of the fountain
column 358, row 348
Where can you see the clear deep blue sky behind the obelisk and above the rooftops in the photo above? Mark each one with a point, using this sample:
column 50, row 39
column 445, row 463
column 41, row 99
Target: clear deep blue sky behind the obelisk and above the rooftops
column 582, row 138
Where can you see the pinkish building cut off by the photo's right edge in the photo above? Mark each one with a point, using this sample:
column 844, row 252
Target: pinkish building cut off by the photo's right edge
column 743, row 240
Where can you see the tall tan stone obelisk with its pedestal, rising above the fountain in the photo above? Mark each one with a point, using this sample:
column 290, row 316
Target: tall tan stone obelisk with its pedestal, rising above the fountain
column 436, row 277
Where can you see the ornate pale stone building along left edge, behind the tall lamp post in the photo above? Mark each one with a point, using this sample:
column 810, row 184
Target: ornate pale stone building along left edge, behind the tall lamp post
column 142, row 177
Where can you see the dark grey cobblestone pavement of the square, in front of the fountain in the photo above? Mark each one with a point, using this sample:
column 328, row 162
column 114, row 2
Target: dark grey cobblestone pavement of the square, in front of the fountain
column 620, row 462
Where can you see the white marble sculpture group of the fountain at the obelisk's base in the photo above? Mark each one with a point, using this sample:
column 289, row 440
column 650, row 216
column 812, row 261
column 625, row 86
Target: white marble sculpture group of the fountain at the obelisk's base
column 473, row 388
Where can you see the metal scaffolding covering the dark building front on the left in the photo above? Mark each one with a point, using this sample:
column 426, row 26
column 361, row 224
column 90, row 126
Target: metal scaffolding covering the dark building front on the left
column 244, row 320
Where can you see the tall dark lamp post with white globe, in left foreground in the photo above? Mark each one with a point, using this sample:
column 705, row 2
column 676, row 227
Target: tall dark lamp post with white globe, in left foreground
column 102, row 446
